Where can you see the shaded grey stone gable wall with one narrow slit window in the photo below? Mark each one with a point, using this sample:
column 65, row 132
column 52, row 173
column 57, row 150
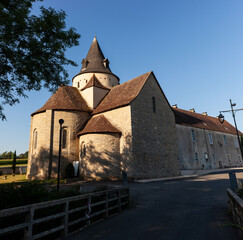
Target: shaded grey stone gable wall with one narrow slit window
column 153, row 134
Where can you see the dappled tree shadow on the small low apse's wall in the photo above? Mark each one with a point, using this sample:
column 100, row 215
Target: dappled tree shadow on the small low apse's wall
column 106, row 162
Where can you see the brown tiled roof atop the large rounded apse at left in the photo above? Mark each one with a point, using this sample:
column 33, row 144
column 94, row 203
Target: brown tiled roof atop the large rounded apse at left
column 65, row 98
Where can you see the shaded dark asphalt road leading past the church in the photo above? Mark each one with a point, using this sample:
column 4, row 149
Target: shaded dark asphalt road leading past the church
column 190, row 209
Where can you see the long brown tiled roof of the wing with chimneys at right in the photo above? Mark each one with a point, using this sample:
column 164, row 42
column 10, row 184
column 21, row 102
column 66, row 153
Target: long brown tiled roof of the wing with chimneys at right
column 197, row 120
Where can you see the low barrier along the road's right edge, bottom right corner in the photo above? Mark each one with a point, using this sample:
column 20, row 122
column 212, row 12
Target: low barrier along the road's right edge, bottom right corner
column 235, row 207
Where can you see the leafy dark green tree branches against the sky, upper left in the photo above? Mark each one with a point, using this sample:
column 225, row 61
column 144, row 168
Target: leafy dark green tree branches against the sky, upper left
column 32, row 50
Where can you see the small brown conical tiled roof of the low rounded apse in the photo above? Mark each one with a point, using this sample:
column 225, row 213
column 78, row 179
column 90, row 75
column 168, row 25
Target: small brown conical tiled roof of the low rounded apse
column 99, row 124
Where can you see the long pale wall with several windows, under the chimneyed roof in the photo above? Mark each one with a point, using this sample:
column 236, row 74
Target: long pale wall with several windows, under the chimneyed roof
column 222, row 152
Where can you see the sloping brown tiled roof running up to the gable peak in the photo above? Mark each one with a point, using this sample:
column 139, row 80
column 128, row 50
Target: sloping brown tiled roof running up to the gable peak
column 122, row 95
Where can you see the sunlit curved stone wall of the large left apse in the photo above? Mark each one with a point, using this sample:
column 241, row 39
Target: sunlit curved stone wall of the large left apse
column 43, row 161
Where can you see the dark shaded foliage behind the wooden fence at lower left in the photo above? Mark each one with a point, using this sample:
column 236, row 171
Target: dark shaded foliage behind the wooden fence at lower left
column 16, row 194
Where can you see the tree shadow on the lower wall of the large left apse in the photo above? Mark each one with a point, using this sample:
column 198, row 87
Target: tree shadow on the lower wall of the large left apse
column 40, row 167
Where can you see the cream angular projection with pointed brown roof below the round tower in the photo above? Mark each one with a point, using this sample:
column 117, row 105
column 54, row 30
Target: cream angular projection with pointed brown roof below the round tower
column 94, row 92
